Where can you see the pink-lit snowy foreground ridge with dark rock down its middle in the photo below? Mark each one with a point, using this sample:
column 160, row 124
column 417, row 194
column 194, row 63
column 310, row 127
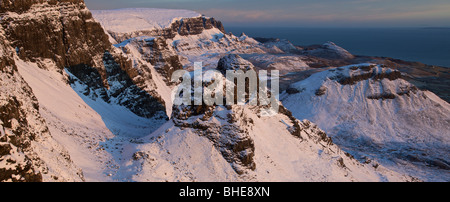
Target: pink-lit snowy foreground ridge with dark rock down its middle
column 175, row 153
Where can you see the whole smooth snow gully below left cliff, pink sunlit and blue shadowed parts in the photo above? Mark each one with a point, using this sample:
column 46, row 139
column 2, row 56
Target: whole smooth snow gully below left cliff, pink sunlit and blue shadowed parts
column 91, row 130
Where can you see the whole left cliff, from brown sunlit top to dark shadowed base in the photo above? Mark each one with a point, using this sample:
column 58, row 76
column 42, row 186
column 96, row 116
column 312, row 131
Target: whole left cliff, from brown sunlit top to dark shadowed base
column 66, row 33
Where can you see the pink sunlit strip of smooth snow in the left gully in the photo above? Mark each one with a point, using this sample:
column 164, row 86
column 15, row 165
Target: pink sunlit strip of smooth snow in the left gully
column 71, row 122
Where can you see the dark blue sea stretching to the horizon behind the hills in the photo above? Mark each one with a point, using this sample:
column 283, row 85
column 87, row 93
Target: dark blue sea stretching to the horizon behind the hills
column 427, row 45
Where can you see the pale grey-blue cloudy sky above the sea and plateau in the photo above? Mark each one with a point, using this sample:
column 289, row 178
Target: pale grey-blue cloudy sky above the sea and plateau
column 305, row 13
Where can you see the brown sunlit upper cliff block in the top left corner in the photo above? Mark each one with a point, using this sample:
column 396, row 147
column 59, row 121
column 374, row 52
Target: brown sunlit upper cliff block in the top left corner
column 63, row 31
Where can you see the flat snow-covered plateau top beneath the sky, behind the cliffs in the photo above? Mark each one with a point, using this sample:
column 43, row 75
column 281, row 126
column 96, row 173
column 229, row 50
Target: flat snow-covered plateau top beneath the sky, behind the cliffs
column 140, row 19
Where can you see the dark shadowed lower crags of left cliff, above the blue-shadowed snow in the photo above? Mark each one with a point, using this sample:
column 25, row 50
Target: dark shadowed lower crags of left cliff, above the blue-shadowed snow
column 121, row 90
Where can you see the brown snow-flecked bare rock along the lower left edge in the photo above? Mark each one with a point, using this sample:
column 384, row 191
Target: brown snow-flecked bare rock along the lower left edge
column 16, row 159
